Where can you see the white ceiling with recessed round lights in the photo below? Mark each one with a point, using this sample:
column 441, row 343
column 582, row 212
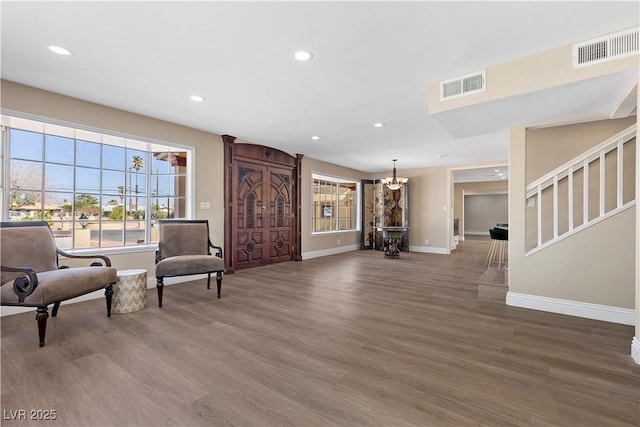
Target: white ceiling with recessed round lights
column 372, row 62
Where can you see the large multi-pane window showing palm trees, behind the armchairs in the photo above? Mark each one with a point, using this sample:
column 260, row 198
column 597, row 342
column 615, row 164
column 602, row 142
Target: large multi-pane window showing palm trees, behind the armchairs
column 95, row 190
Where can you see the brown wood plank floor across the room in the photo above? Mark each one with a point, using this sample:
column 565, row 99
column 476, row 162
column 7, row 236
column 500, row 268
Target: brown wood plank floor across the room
column 346, row 340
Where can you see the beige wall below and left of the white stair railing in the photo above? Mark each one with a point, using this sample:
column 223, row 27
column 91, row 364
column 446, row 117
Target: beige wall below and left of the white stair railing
column 595, row 266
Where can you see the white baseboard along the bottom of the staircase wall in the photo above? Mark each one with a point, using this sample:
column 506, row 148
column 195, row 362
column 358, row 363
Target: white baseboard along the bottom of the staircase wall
column 625, row 316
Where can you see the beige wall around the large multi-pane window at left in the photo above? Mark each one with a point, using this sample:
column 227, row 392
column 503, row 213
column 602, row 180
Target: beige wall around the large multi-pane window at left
column 208, row 160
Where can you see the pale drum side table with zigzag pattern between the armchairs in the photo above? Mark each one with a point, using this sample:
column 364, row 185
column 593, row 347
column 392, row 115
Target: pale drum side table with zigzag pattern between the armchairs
column 130, row 292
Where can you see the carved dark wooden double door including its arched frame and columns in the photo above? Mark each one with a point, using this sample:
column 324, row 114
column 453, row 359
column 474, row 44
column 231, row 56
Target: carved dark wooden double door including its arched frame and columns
column 262, row 205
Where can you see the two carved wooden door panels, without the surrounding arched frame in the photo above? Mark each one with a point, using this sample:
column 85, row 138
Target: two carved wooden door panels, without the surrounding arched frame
column 262, row 224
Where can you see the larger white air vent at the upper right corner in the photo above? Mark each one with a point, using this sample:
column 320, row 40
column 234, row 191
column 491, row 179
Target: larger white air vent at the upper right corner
column 607, row 48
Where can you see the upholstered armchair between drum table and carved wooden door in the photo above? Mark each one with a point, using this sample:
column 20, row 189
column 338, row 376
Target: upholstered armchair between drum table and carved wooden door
column 184, row 249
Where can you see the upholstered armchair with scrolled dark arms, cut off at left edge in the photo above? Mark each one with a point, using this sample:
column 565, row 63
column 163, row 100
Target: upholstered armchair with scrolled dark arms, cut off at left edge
column 32, row 277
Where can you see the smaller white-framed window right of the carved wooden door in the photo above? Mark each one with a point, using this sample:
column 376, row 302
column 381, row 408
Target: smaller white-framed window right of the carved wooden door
column 335, row 204
